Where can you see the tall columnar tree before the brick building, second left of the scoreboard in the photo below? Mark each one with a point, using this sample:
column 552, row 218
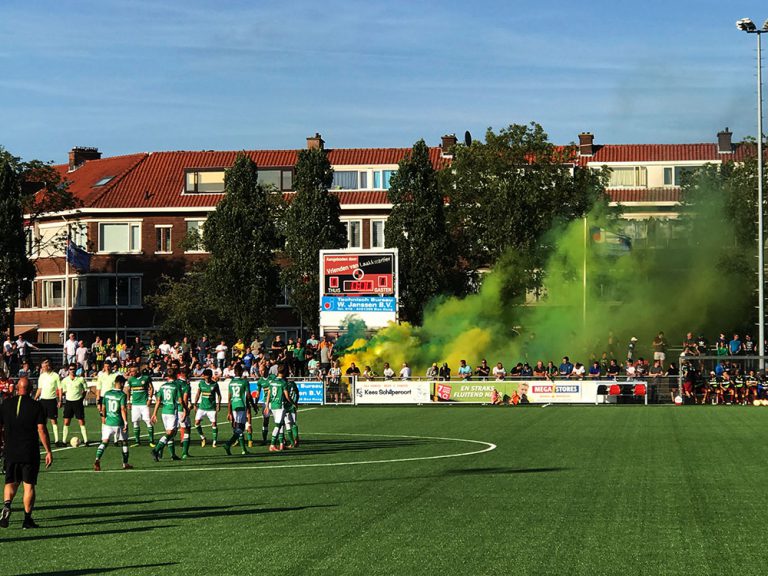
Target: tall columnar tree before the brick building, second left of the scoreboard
column 242, row 239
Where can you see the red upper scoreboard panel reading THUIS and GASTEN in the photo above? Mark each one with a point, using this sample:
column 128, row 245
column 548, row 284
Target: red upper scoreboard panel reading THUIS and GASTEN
column 368, row 274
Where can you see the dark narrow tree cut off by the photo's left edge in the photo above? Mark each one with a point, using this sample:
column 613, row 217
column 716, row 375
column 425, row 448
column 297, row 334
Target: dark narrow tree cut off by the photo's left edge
column 16, row 270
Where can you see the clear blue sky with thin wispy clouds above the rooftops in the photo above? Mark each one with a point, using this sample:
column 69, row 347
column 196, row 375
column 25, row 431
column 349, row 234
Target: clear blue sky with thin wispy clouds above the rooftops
column 131, row 76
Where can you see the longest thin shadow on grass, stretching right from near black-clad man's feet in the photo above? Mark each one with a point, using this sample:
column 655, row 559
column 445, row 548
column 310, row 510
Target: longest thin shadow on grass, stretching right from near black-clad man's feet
column 192, row 512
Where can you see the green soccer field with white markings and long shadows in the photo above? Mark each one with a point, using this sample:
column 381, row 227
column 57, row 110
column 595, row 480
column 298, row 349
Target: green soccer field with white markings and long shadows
column 438, row 490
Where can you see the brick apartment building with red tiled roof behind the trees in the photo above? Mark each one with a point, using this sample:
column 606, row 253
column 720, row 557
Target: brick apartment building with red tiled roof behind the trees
column 136, row 210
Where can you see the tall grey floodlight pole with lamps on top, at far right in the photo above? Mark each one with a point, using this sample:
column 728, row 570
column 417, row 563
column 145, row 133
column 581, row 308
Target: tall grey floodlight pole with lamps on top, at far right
column 746, row 25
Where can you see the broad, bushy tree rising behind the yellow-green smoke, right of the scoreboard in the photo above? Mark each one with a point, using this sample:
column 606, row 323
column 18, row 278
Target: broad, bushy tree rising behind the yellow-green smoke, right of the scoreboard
column 509, row 191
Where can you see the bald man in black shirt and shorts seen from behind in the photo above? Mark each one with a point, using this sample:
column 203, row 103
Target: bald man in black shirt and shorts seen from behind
column 23, row 422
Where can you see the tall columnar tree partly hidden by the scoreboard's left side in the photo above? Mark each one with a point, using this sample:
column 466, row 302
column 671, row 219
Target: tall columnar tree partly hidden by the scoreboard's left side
column 312, row 224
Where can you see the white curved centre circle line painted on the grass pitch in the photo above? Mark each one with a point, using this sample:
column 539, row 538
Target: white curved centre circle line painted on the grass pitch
column 488, row 447
